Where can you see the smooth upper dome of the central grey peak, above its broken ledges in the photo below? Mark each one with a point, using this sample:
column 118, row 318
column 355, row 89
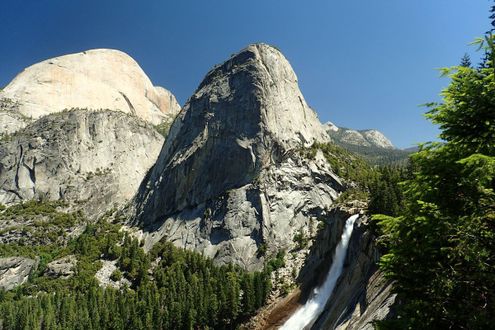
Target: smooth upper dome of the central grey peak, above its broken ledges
column 245, row 115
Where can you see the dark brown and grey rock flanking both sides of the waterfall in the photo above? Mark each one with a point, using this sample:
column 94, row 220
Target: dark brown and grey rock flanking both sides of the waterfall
column 361, row 295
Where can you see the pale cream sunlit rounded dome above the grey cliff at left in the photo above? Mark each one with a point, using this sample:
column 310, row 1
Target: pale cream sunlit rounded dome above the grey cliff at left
column 94, row 79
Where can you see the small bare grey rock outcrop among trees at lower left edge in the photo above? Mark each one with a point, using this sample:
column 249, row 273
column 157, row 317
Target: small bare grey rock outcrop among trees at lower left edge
column 14, row 271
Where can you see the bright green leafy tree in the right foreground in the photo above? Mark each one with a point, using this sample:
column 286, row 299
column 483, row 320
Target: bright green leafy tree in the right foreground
column 442, row 246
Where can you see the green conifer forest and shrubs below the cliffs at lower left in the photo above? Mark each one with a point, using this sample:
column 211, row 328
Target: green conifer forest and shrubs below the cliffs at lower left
column 182, row 290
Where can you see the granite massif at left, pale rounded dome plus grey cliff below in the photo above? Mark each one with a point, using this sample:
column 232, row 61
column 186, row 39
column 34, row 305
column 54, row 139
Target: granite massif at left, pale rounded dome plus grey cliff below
column 92, row 158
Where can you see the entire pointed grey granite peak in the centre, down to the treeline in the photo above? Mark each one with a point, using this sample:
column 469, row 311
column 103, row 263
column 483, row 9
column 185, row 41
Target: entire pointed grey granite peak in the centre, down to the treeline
column 229, row 177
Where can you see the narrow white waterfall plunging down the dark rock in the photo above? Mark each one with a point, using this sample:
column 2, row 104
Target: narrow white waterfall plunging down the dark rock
column 314, row 306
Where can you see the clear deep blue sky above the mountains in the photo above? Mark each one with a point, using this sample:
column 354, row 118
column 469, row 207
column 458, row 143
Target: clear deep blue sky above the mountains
column 361, row 64
